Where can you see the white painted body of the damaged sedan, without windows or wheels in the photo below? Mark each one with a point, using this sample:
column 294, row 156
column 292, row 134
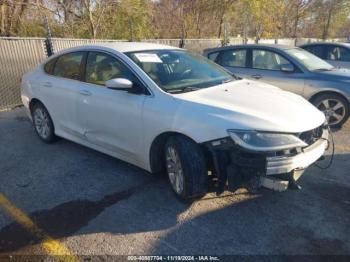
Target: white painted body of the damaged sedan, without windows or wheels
column 124, row 125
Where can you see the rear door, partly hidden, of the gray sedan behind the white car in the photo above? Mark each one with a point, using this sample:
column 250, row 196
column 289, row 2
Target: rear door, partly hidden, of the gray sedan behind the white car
column 234, row 60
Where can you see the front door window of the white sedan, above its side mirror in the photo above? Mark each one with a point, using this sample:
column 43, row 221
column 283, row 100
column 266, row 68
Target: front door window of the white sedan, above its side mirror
column 101, row 67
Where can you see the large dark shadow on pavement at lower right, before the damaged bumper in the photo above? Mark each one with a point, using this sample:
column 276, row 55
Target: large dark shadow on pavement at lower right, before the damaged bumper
column 312, row 221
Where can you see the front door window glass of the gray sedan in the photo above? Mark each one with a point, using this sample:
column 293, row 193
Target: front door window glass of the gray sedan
column 263, row 59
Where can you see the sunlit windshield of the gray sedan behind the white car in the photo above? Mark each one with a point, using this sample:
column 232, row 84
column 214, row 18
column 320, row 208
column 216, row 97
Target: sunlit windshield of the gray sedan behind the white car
column 310, row 61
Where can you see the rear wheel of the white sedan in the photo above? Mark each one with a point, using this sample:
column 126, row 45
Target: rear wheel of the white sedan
column 43, row 124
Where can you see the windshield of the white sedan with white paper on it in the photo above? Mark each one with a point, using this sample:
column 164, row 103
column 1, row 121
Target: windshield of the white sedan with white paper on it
column 177, row 71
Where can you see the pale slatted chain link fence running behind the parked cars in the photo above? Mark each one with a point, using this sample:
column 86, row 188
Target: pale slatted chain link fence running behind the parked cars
column 20, row 55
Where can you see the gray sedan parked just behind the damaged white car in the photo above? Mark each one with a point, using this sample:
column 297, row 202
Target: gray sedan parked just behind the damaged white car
column 292, row 69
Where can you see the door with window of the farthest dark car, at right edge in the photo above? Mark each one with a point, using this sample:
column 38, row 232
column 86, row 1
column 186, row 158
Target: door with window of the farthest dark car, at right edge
column 338, row 56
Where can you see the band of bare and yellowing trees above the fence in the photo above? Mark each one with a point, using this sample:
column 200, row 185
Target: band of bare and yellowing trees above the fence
column 139, row 19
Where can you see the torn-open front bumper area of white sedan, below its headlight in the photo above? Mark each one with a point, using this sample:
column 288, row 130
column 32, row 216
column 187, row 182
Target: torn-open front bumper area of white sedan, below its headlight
column 234, row 165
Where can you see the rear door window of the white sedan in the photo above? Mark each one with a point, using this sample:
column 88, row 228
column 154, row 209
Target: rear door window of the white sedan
column 68, row 65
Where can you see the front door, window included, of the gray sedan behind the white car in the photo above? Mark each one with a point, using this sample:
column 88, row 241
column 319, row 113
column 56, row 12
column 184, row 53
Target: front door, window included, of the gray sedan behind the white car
column 266, row 67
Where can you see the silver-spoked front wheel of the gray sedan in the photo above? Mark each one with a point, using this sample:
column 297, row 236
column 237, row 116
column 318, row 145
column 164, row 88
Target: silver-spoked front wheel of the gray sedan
column 336, row 117
